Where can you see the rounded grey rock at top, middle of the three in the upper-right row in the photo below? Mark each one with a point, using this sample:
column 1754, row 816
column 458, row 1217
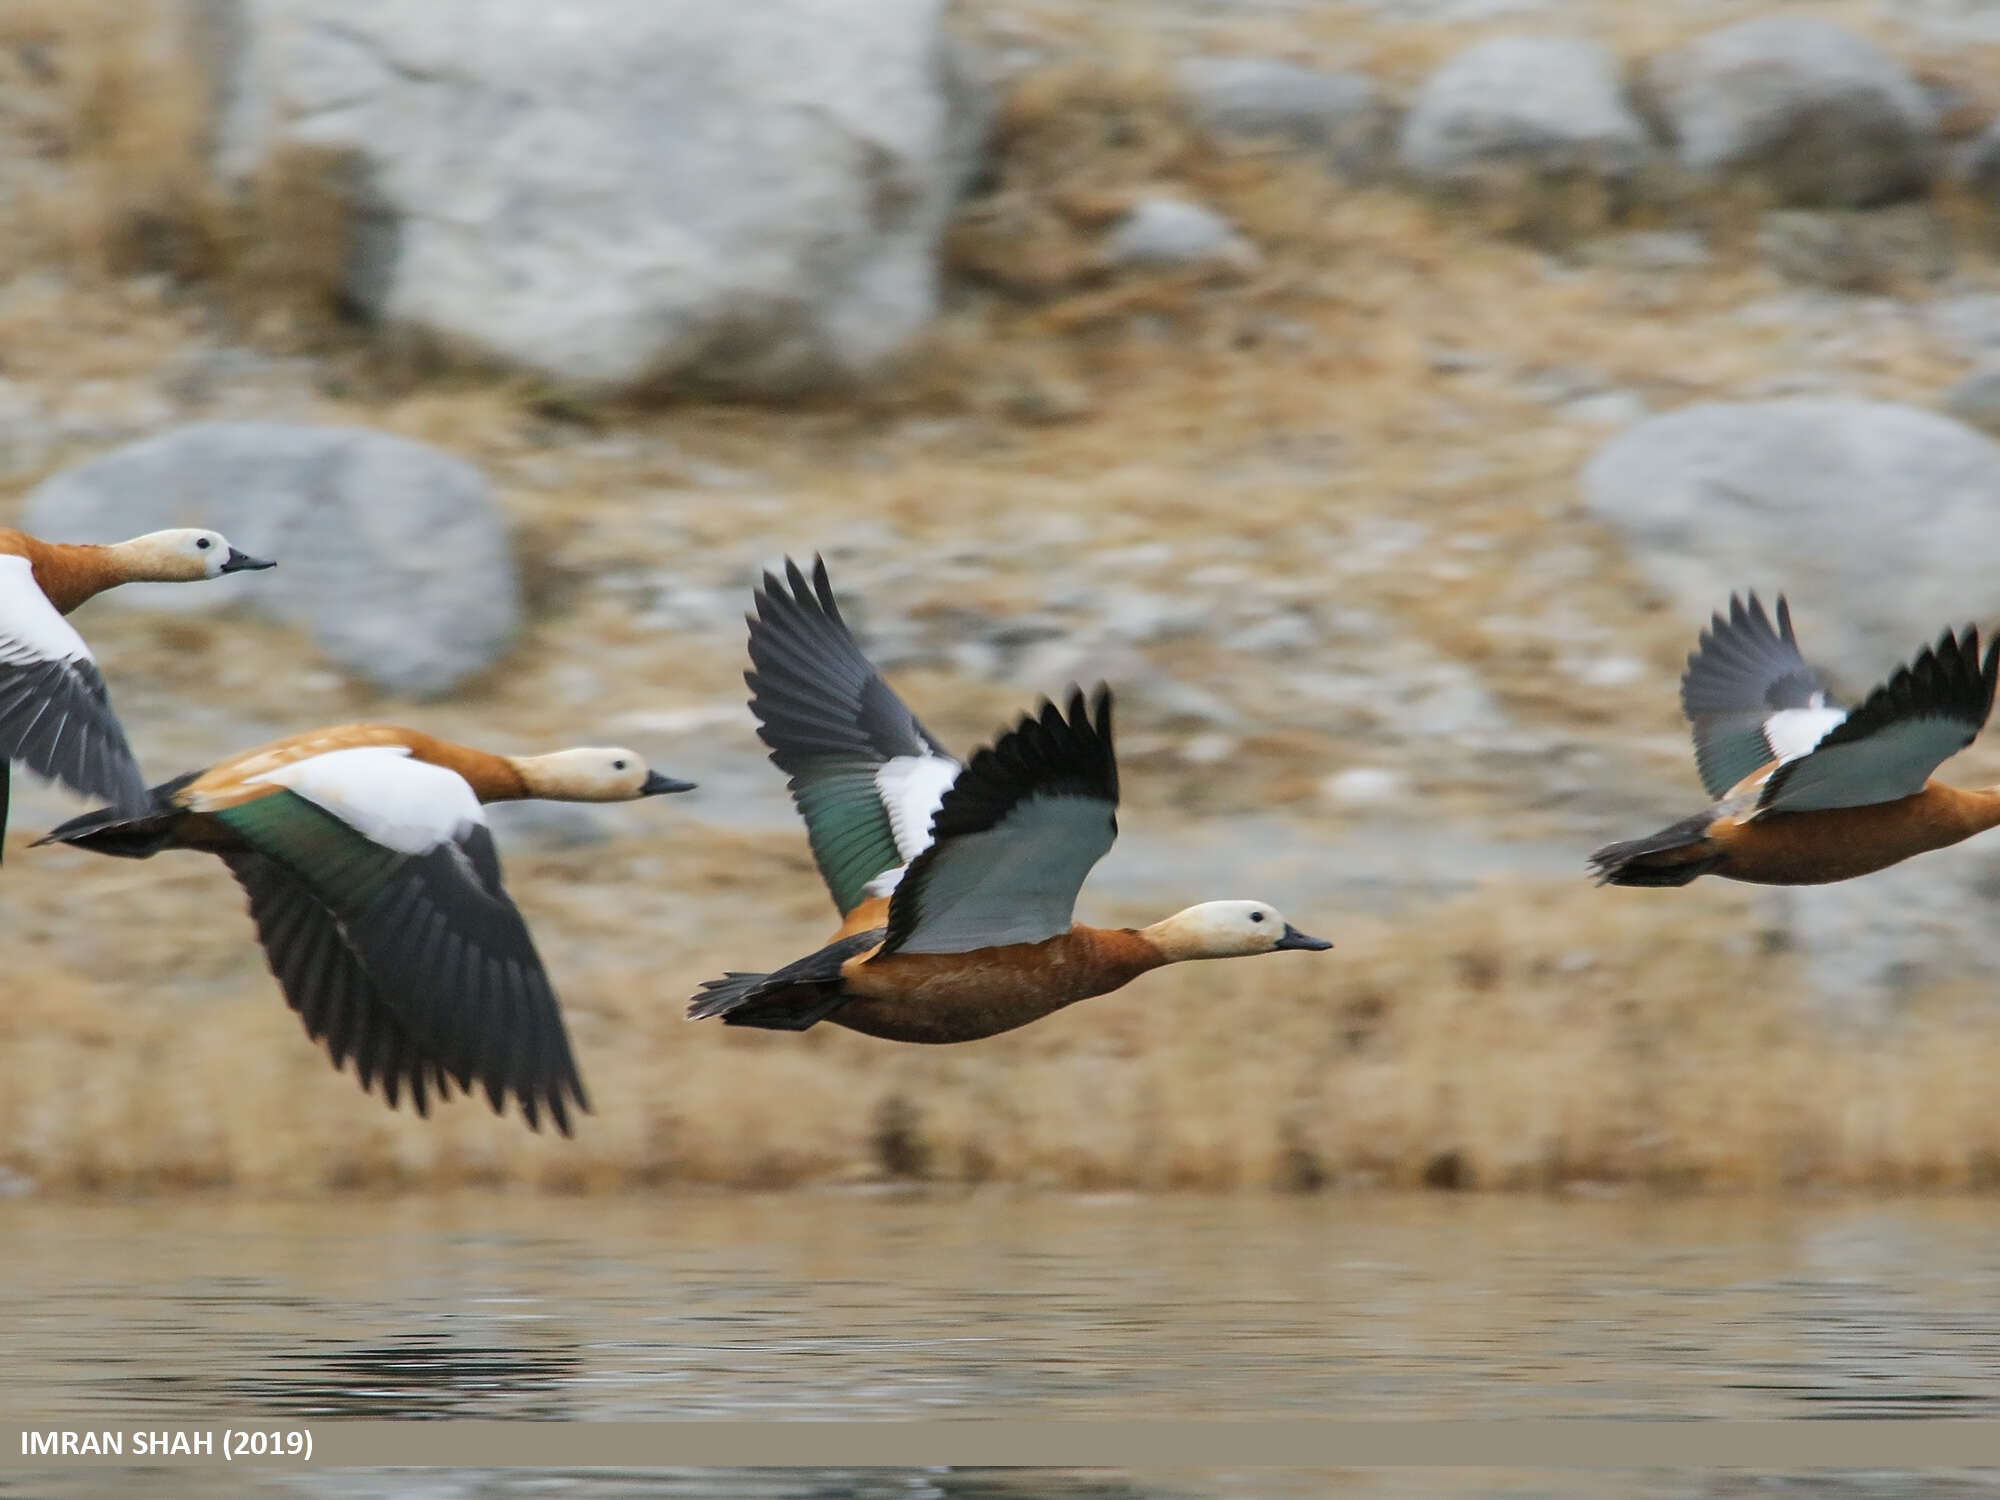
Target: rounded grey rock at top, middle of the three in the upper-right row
column 1537, row 103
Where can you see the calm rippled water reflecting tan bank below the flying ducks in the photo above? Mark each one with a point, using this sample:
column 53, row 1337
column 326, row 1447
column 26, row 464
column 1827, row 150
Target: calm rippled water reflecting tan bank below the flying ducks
column 881, row 1305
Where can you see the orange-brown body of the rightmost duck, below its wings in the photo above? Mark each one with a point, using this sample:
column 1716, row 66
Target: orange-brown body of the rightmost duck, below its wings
column 1809, row 849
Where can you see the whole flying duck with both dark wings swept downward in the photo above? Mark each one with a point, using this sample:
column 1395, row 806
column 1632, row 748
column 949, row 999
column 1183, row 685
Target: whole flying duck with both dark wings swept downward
column 377, row 895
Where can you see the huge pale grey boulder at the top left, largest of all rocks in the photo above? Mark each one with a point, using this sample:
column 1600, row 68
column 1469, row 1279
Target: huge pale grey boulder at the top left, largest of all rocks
column 617, row 193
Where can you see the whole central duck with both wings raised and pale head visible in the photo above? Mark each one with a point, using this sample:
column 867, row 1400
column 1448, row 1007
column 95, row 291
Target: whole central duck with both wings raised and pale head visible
column 955, row 883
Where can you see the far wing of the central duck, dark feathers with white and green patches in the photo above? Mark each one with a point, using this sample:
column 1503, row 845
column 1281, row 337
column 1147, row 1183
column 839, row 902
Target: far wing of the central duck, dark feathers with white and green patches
column 865, row 775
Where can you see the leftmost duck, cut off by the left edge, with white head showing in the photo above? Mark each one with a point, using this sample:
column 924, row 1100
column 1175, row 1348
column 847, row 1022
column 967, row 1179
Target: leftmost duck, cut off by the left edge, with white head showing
column 55, row 715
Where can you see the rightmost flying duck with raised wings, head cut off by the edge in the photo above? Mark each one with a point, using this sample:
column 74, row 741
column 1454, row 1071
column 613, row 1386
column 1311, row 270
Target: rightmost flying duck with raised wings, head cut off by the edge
column 1807, row 791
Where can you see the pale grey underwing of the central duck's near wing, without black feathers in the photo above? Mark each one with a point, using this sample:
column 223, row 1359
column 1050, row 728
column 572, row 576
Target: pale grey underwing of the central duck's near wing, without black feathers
column 1013, row 883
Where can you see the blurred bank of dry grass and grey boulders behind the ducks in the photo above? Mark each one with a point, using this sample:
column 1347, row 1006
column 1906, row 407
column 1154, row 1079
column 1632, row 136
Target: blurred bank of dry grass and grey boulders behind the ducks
column 1379, row 395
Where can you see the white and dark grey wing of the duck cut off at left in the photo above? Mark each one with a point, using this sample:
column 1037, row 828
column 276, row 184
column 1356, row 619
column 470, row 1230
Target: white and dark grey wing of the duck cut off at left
column 55, row 715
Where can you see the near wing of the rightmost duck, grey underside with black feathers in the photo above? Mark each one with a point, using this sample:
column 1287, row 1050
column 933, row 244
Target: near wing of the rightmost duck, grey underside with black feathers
column 1903, row 731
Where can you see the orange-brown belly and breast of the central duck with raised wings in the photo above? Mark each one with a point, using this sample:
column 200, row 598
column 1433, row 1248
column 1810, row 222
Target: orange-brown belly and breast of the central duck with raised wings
column 967, row 997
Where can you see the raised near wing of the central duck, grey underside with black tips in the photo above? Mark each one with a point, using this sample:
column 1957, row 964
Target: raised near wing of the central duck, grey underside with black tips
column 1015, row 837
